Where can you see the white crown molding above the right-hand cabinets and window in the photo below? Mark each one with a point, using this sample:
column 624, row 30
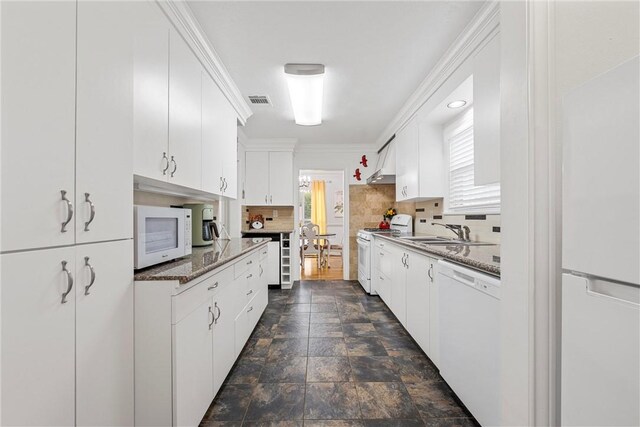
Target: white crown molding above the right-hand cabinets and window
column 484, row 24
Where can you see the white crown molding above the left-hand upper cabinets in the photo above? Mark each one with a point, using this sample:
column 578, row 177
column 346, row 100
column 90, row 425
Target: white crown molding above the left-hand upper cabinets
column 181, row 16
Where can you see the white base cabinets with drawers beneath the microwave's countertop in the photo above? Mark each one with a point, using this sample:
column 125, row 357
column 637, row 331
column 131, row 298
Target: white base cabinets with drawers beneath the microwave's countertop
column 189, row 336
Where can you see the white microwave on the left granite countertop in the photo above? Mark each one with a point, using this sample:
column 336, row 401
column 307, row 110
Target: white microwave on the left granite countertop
column 161, row 234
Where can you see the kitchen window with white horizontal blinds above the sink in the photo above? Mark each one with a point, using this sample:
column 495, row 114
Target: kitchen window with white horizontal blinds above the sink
column 463, row 195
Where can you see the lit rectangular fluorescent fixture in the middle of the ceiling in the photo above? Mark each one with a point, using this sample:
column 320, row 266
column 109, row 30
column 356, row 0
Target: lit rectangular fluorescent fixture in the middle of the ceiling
column 306, row 83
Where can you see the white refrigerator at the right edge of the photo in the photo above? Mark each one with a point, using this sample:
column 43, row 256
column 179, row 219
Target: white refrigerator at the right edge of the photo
column 600, row 379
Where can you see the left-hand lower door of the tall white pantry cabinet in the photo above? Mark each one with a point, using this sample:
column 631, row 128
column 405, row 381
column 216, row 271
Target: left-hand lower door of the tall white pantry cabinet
column 38, row 338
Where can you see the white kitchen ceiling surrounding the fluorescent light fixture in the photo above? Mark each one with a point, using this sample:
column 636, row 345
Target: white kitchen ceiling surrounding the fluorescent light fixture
column 376, row 54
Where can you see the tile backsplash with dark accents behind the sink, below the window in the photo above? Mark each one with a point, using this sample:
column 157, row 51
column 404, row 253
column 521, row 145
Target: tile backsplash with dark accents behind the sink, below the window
column 484, row 228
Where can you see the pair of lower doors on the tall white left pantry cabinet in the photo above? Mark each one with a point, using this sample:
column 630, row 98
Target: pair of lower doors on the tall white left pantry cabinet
column 67, row 336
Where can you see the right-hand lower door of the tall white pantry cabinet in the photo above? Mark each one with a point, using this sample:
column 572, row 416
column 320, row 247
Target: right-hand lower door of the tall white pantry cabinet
column 104, row 334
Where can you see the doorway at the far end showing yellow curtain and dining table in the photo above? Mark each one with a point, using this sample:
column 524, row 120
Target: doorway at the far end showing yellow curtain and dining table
column 321, row 210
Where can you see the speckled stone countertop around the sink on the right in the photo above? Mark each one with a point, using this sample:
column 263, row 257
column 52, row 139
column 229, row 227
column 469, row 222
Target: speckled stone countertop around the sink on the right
column 483, row 258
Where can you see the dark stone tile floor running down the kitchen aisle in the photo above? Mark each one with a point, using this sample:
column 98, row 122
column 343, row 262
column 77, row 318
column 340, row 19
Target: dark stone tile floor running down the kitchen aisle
column 326, row 354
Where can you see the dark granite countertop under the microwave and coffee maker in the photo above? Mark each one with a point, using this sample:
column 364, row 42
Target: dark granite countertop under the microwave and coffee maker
column 201, row 261
